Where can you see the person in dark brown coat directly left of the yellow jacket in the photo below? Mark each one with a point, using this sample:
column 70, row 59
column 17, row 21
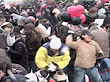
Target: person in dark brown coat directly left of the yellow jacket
column 32, row 39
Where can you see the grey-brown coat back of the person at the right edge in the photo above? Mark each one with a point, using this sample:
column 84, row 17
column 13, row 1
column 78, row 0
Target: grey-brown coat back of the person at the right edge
column 102, row 38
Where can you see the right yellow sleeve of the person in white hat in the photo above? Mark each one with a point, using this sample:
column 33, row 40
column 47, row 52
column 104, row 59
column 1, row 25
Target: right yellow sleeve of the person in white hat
column 64, row 61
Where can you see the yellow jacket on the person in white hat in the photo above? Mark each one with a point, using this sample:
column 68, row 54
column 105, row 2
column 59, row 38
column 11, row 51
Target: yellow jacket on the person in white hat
column 43, row 58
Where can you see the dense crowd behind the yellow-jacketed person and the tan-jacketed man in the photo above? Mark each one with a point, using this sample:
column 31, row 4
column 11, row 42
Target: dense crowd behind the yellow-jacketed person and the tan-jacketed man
column 24, row 28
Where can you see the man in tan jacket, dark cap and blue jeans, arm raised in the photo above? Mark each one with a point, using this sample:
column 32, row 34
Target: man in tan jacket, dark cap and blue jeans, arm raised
column 85, row 57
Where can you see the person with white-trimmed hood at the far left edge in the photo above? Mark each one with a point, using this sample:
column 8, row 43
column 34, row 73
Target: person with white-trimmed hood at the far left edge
column 7, row 28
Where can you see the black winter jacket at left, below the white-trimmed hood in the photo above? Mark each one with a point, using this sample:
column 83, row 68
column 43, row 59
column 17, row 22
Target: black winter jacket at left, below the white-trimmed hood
column 18, row 53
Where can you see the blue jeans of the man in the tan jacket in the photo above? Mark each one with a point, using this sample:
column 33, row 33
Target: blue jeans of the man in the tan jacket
column 92, row 73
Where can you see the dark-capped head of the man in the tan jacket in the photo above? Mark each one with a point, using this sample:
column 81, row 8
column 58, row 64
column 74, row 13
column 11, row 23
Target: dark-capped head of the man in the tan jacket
column 86, row 35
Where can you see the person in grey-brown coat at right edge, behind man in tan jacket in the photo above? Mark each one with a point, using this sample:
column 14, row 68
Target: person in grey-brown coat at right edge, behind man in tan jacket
column 101, row 36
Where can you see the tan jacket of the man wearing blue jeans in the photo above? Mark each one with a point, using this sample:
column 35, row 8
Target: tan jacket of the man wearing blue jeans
column 86, row 53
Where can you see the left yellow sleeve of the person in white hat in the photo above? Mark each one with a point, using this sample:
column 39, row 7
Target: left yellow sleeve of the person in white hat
column 40, row 58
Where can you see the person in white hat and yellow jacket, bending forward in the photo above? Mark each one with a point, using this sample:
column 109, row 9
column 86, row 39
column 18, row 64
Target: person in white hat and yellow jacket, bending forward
column 53, row 55
